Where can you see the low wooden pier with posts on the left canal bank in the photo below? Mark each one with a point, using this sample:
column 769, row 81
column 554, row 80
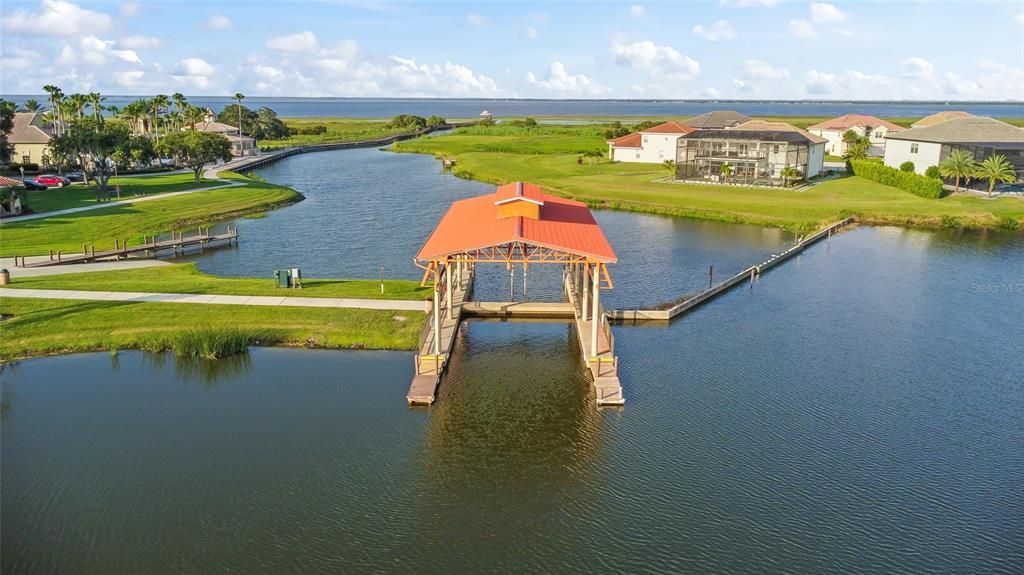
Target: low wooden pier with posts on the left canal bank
column 150, row 247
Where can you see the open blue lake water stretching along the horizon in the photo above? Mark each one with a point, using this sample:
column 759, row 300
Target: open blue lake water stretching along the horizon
column 388, row 108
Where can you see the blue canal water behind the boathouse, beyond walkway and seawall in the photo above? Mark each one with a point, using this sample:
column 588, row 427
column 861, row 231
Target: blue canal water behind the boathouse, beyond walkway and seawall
column 368, row 209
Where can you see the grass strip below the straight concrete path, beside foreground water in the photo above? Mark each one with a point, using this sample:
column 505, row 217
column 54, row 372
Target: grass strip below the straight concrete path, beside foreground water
column 47, row 327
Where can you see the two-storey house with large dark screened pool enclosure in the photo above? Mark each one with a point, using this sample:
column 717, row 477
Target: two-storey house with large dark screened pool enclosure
column 756, row 152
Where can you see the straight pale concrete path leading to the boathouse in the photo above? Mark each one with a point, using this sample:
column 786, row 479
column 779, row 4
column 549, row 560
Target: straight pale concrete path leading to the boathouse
column 350, row 303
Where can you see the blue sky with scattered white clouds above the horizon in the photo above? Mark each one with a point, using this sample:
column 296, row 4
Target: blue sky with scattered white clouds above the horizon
column 721, row 49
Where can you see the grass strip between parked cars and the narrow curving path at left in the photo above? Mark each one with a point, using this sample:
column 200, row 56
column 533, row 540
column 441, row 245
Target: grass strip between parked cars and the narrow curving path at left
column 77, row 195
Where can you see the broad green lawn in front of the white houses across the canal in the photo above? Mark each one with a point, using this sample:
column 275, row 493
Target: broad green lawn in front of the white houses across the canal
column 510, row 155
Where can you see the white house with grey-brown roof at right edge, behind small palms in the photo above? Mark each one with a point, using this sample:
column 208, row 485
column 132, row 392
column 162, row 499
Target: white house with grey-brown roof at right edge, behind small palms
column 982, row 137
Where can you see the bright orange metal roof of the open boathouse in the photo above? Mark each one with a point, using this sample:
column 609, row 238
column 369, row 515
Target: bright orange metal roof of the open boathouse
column 474, row 224
